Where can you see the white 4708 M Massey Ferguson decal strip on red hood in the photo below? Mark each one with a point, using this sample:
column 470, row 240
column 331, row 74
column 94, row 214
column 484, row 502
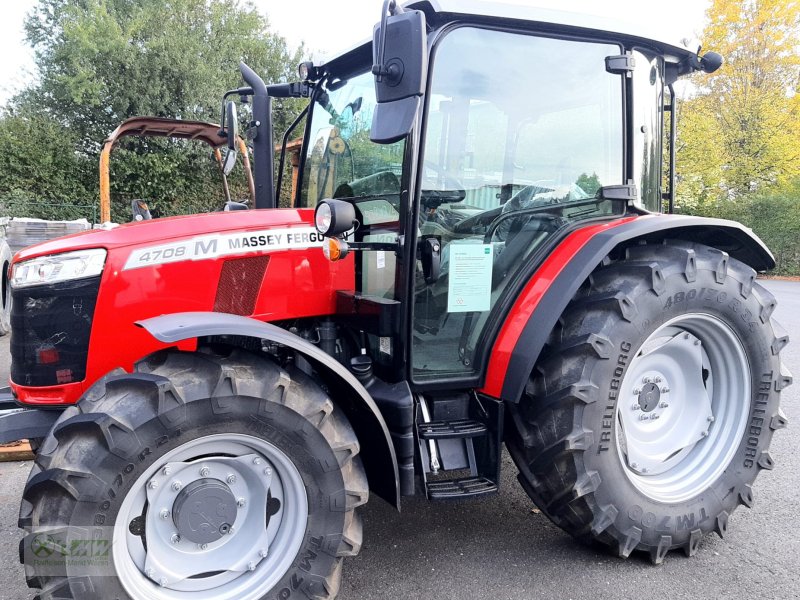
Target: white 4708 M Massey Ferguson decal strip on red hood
column 216, row 245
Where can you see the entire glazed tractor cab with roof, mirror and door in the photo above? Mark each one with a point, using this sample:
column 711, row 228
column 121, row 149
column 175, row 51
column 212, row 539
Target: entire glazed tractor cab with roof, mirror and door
column 467, row 146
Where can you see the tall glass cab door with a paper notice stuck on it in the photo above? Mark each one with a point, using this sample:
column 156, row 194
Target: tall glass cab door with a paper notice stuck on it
column 520, row 133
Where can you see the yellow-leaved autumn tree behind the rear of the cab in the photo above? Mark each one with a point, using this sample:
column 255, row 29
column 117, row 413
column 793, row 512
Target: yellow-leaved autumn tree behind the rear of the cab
column 740, row 133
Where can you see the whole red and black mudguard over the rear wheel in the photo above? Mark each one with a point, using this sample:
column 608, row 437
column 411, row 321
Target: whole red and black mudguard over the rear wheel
column 549, row 290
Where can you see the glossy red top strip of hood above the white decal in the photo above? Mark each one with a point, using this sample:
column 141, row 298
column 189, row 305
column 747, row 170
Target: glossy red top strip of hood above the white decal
column 170, row 229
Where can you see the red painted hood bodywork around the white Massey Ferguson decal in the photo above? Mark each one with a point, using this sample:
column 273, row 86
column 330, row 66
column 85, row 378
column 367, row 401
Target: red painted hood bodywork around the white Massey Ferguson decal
column 297, row 282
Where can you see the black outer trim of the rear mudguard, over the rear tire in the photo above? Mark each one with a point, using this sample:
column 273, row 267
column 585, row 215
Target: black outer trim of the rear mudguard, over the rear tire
column 739, row 242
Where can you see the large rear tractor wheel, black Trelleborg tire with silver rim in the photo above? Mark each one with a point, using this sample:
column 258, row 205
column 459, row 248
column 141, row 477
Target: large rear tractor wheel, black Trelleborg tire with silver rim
column 651, row 412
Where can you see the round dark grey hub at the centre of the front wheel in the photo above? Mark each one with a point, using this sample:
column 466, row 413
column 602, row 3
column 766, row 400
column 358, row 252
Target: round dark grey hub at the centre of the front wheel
column 204, row 511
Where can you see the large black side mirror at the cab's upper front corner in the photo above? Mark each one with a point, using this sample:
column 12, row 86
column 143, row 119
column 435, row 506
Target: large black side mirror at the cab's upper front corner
column 400, row 67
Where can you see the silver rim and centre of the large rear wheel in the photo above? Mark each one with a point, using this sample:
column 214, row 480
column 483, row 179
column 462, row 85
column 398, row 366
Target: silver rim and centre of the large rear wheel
column 683, row 407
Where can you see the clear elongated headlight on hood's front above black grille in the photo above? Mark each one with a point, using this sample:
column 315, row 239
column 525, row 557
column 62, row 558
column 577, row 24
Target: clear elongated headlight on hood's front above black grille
column 58, row 267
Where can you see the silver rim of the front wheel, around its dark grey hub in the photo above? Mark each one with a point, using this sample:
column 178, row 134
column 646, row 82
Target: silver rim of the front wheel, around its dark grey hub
column 245, row 562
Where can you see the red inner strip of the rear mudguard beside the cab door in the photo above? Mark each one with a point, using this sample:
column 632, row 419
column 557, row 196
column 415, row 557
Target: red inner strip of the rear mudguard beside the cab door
column 528, row 300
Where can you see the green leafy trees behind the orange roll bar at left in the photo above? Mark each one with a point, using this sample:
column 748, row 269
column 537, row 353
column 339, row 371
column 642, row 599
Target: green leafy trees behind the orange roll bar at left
column 102, row 61
